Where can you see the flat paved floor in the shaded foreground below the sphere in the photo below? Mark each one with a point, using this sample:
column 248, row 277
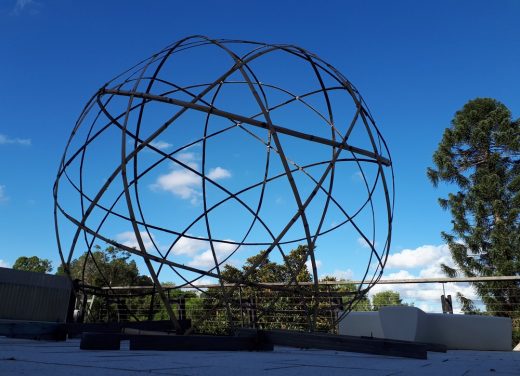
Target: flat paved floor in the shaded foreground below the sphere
column 18, row 357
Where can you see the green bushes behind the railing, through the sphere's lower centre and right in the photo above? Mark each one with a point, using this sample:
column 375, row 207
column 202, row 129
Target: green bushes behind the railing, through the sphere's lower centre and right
column 266, row 308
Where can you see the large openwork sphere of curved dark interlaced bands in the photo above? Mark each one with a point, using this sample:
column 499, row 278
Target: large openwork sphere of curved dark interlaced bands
column 213, row 150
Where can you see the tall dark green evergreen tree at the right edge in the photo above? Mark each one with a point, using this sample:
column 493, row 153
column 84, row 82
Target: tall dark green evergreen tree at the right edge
column 479, row 154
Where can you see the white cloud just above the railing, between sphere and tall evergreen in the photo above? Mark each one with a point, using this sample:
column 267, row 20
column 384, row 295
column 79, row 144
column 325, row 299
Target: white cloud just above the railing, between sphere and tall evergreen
column 421, row 256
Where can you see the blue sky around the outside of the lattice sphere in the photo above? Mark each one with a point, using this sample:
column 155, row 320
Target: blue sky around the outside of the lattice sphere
column 415, row 63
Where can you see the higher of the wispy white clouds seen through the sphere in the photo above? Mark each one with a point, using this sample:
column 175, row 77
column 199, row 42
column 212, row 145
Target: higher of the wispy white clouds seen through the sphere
column 186, row 184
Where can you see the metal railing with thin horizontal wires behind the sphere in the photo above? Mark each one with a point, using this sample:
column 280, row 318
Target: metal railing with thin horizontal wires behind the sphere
column 274, row 309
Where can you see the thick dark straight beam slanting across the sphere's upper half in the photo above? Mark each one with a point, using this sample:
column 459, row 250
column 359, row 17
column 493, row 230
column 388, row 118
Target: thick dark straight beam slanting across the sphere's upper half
column 250, row 121
